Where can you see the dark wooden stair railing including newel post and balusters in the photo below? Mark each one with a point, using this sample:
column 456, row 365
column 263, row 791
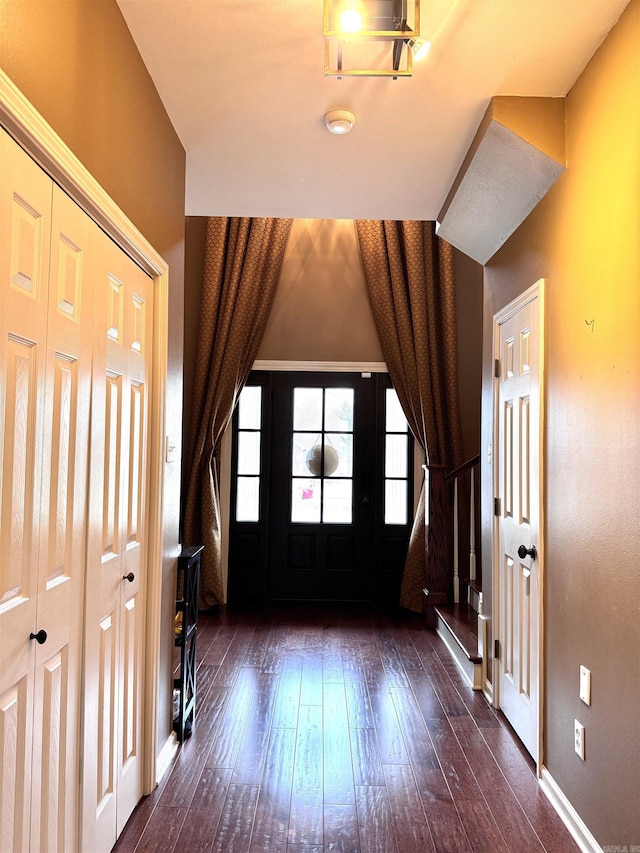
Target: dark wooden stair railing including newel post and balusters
column 443, row 513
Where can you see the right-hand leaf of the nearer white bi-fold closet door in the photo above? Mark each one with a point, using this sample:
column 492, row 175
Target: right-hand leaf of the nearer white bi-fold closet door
column 54, row 811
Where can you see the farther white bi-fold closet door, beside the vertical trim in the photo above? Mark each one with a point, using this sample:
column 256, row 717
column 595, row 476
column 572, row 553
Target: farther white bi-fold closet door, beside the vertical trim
column 116, row 553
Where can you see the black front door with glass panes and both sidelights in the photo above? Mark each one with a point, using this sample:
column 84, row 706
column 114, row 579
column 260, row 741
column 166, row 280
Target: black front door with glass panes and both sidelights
column 329, row 519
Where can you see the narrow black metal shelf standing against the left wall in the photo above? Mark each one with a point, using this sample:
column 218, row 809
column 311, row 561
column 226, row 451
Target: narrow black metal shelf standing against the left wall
column 187, row 605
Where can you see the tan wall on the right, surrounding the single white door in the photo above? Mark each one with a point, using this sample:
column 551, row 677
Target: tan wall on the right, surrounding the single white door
column 583, row 238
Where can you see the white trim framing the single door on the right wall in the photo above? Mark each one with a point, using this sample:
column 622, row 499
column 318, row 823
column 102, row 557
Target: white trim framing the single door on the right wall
column 537, row 290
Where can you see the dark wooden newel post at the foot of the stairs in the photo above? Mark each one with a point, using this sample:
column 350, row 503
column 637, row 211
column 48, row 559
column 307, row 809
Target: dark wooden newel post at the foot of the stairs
column 438, row 538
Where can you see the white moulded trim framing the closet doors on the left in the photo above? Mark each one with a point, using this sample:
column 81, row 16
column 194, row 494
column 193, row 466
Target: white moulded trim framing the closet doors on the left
column 22, row 121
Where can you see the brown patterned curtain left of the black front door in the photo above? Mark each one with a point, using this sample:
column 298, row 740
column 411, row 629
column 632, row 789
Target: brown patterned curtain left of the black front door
column 243, row 259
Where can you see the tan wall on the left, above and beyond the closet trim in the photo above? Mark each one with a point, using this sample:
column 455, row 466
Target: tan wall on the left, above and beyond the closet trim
column 78, row 65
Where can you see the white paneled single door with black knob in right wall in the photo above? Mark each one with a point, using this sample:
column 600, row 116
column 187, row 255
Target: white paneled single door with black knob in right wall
column 518, row 349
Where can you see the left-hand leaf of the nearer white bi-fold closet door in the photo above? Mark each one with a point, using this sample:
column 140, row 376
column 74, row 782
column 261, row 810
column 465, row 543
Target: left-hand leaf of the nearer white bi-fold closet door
column 25, row 229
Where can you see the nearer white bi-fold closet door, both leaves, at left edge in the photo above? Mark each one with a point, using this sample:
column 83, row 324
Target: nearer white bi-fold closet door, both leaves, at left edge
column 46, row 318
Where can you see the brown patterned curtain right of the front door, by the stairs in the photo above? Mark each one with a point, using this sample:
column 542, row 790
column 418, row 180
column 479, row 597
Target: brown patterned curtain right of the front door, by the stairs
column 410, row 279
